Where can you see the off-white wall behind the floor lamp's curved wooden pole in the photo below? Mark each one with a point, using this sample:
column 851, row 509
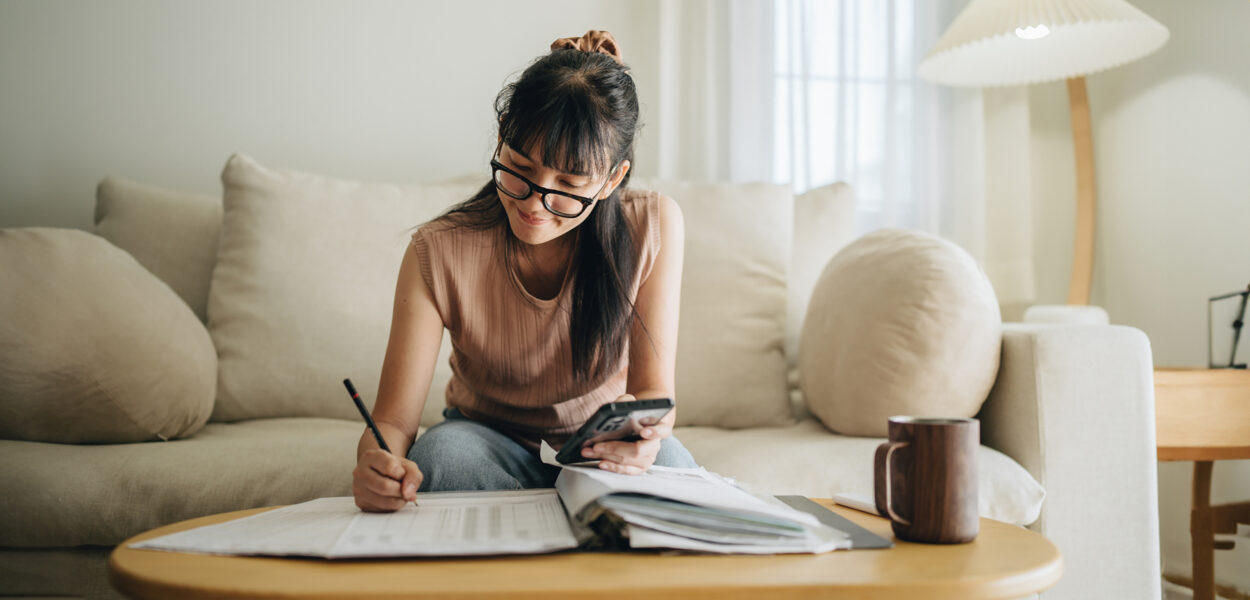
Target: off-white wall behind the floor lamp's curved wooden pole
column 1173, row 161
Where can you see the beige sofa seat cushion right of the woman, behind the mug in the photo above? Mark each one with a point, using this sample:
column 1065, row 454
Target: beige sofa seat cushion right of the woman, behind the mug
column 807, row 459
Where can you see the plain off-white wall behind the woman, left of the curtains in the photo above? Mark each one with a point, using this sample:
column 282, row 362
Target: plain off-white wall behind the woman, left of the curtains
column 164, row 92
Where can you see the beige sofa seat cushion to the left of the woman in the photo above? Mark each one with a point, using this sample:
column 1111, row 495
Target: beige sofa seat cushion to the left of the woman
column 106, row 494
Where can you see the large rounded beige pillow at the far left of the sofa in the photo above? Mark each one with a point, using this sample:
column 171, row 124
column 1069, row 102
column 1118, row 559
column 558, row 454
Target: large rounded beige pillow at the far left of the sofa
column 93, row 347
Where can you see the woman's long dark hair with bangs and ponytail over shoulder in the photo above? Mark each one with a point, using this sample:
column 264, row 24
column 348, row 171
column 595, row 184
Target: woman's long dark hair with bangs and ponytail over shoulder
column 582, row 109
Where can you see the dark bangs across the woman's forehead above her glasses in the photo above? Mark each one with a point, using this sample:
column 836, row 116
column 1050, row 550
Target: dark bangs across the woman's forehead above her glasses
column 564, row 124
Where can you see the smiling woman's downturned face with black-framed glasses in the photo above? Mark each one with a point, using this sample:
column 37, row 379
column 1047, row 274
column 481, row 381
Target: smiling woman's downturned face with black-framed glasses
column 531, row 222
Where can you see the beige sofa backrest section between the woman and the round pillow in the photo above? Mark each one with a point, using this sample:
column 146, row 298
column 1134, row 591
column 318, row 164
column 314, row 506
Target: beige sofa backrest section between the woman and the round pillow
column 803, row 233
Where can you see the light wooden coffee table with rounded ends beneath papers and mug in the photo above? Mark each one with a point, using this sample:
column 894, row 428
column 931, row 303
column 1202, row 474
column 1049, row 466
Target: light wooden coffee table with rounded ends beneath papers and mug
column 1004, row 562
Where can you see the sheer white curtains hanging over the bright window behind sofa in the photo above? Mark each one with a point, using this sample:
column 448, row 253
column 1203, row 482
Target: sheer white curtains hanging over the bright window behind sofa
column 816, row 92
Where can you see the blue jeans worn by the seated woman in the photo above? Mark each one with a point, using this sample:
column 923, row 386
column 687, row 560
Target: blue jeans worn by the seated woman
column 462, row 454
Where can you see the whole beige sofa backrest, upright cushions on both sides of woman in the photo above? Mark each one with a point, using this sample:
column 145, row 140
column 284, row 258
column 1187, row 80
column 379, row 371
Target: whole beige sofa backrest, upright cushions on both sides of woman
column 753, row 254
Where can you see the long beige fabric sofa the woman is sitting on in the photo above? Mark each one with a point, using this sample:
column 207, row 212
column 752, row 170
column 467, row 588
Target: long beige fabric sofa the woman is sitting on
column 202, row 341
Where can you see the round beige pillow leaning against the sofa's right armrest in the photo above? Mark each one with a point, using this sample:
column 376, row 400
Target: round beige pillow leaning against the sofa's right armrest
column 901, row 323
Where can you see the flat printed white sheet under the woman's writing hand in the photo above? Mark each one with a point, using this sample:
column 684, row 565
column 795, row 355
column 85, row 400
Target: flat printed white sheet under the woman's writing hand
column 446, row 524
